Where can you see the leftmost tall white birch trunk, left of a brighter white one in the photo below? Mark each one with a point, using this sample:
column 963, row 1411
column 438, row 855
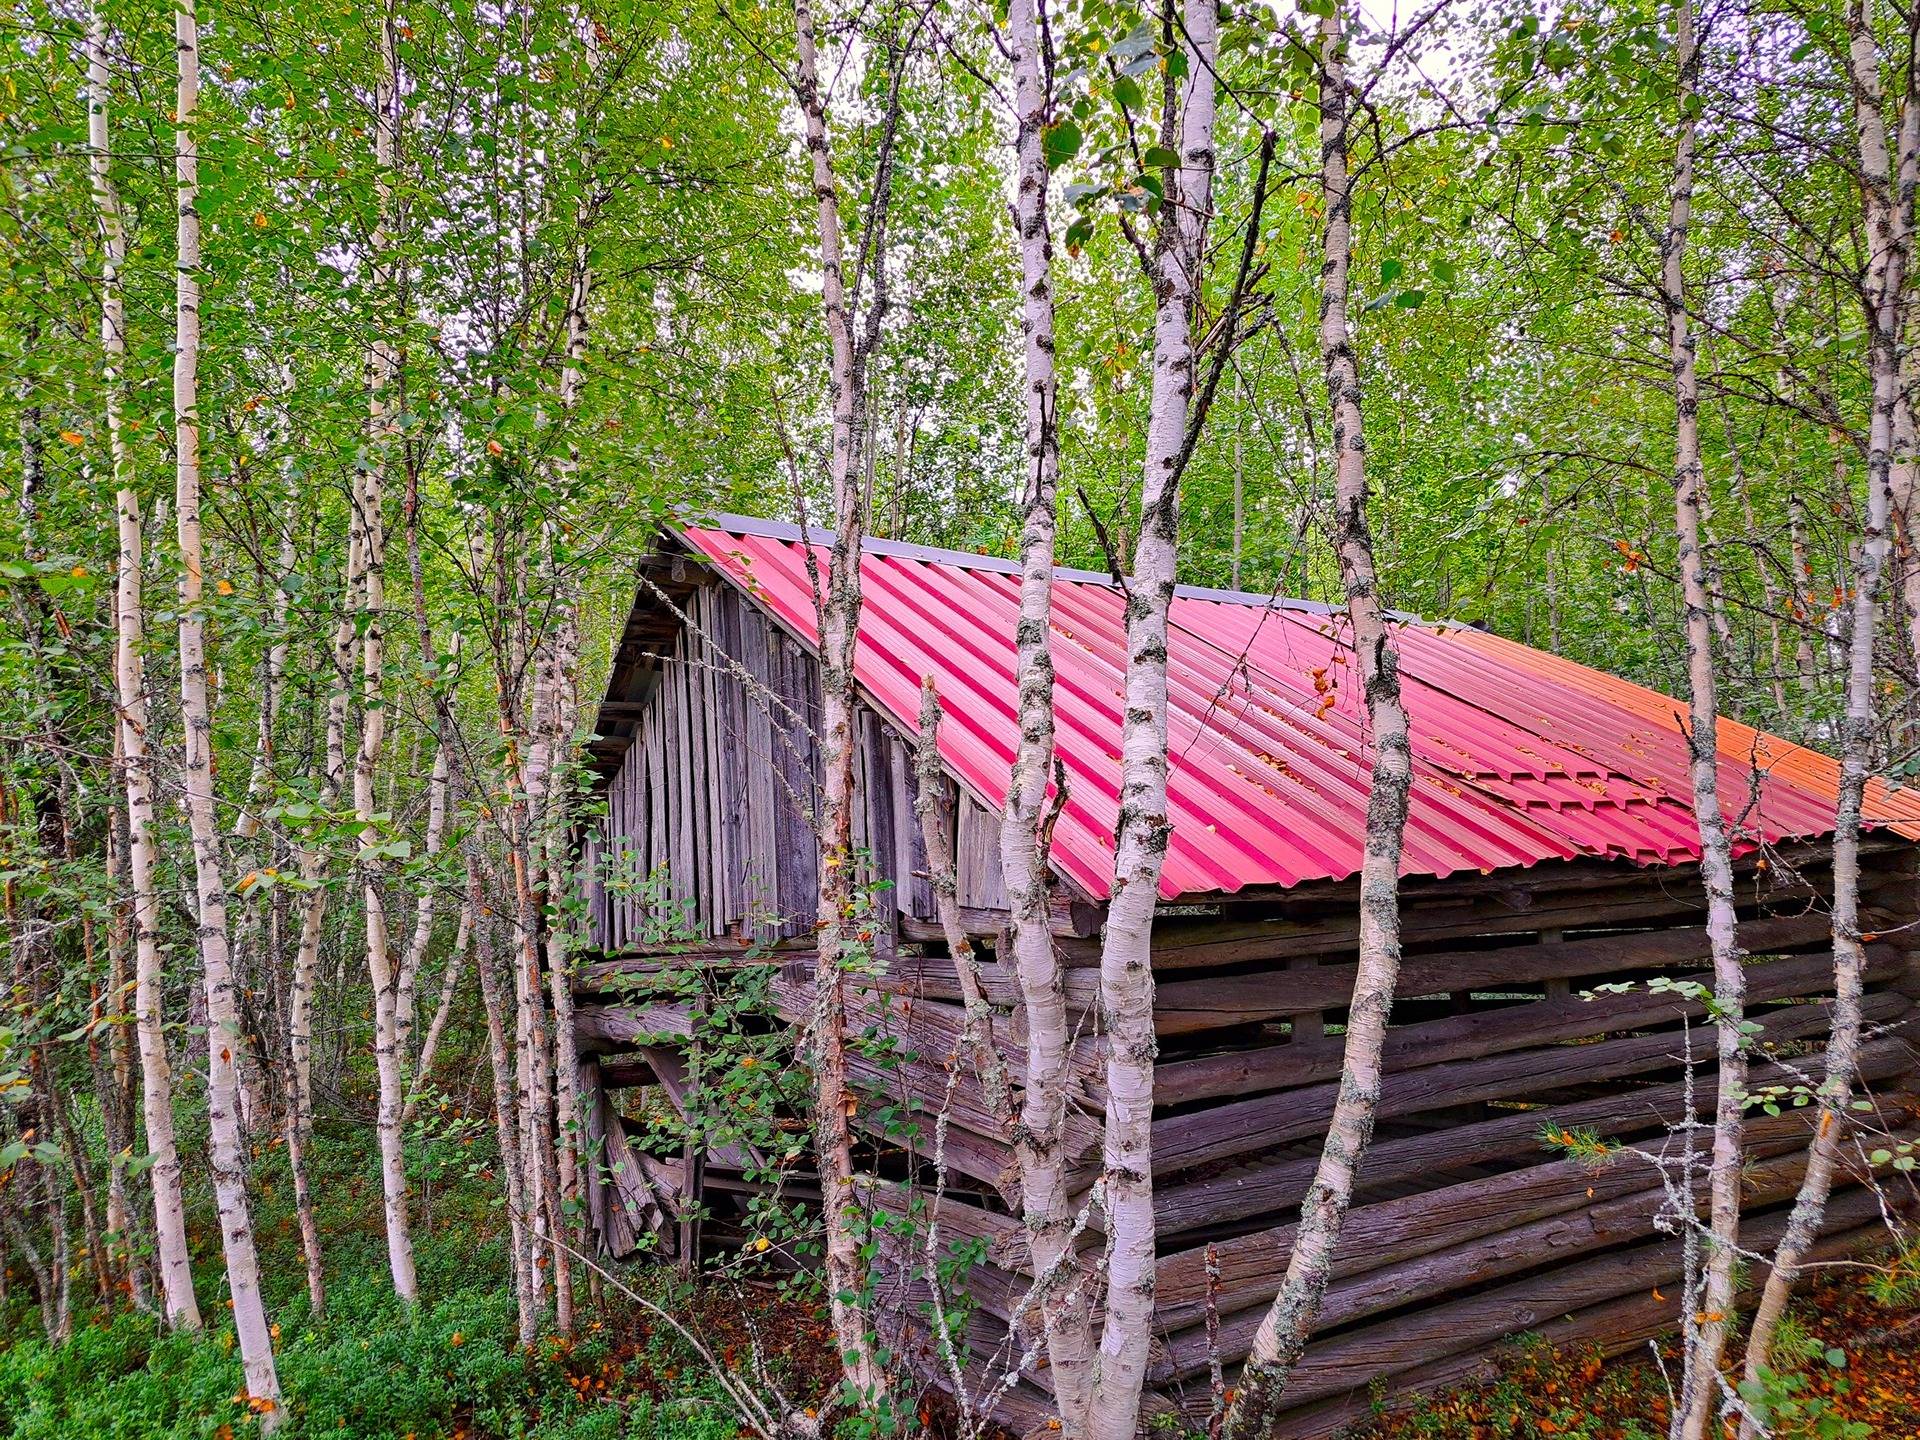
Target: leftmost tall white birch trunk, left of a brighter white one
column 137, row 767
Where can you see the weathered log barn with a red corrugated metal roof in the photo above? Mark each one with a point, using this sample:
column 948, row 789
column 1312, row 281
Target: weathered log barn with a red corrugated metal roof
column 1550, row 850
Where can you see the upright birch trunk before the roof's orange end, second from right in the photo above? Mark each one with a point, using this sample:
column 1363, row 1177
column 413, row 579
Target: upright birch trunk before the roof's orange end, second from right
column 1704, row 1324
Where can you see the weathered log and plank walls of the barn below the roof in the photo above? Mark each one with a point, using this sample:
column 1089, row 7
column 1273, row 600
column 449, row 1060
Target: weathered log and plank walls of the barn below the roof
column 1468, row 1226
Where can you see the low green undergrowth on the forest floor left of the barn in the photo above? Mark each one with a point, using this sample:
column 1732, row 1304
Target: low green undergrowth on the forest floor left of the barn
column 366, row 1370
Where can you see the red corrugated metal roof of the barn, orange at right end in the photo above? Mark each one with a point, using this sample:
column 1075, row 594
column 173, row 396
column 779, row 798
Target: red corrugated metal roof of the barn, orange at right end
column 1520, row 756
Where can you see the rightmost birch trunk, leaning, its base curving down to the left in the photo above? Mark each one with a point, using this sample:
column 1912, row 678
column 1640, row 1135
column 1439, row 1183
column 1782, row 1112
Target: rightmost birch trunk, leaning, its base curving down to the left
column 1890, row 197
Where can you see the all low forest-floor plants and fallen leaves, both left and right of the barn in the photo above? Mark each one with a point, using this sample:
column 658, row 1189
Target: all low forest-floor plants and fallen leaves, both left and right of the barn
column 452, row 1370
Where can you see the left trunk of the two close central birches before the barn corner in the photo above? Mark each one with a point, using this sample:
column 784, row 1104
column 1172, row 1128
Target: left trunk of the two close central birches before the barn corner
column 1047, row 1207
